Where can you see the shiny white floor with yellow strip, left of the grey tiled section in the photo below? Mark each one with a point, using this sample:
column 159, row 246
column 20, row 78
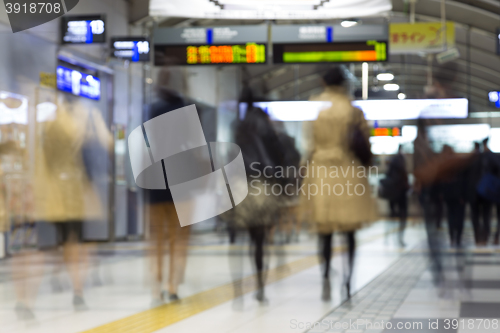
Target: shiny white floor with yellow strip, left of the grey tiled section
column 118, row 288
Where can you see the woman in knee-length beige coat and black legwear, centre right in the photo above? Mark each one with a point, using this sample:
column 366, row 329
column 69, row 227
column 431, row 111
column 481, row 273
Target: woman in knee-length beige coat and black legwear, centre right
column 338, row 194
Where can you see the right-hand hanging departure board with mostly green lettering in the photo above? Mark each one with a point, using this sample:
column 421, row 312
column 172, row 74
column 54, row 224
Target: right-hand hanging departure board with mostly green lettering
column 329, row 44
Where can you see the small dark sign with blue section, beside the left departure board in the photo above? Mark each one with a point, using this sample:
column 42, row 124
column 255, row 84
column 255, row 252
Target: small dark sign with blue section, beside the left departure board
column 130, row 48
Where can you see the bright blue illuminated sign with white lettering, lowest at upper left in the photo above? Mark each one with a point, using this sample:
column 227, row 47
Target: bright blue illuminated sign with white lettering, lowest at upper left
column 78, row 83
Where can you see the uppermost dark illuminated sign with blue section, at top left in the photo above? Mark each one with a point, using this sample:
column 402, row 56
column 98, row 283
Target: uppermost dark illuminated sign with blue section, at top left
column 86, row 29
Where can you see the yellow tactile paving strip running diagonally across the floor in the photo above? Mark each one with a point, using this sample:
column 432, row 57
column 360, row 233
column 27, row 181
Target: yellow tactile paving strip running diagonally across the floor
column 160, row 317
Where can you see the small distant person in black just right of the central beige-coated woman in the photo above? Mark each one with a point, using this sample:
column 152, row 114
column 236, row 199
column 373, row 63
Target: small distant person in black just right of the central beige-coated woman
column 395, row 185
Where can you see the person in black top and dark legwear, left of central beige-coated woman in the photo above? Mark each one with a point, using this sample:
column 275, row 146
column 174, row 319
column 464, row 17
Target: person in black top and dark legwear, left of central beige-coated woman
column 262, row 153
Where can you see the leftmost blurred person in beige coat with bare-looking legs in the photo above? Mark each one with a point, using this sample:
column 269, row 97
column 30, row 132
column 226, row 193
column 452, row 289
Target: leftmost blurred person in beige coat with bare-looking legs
column 64, row 196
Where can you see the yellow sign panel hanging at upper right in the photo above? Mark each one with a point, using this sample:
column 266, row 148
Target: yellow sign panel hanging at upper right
column 421, row 37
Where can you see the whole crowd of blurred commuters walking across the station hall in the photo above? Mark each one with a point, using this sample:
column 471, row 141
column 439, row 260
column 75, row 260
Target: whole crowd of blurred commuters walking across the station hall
column 69, row 168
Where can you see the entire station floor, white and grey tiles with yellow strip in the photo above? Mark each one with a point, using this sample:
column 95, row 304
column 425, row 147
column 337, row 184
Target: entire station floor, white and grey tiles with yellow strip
column 393, row 290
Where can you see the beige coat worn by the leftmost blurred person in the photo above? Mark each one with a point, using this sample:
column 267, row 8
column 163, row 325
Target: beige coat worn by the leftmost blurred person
column 62, row 189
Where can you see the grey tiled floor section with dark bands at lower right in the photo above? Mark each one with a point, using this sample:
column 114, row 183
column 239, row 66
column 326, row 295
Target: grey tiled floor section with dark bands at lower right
column 405, row 299
